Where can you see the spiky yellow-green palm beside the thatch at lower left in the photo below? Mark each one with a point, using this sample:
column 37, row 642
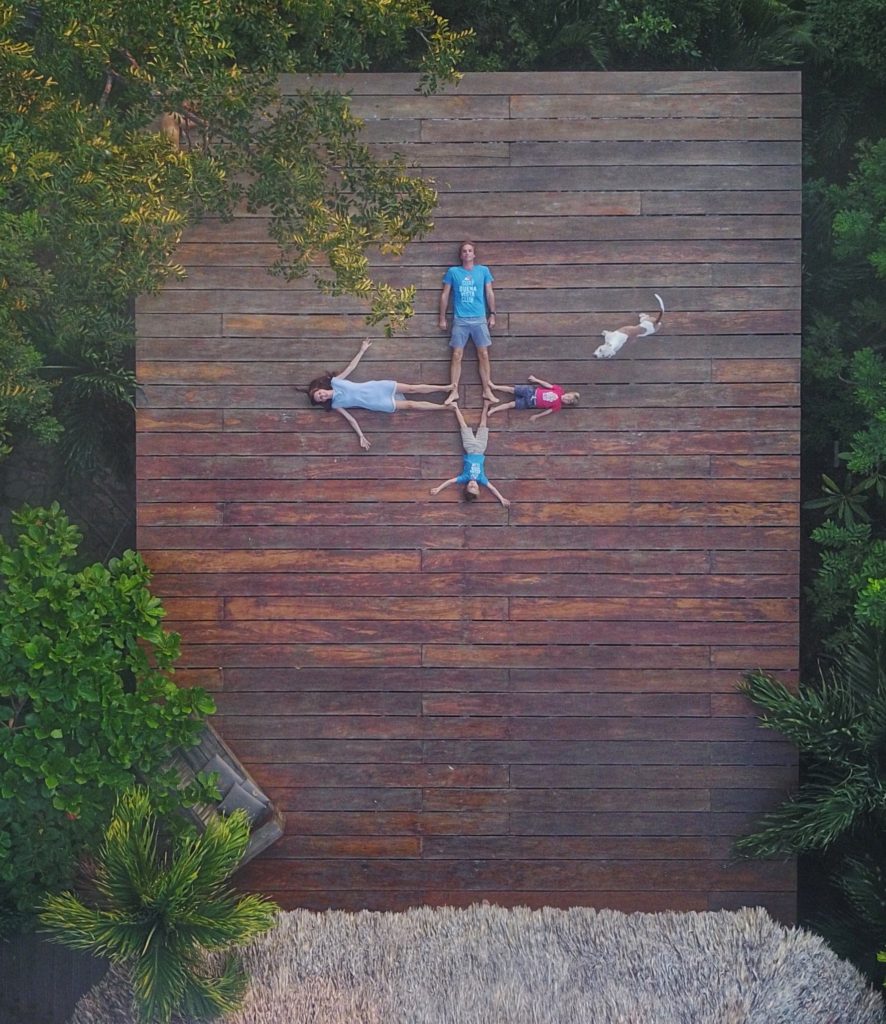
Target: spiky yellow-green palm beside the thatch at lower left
column 160, row 906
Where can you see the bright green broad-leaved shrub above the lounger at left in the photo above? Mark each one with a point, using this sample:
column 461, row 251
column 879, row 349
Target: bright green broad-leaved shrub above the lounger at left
column 88, row 706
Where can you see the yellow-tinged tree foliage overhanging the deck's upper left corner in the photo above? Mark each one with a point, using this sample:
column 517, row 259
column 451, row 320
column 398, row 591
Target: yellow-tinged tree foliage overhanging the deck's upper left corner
column 121, row 123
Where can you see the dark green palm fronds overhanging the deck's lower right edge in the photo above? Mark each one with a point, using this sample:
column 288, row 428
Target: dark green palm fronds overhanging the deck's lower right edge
column 838, row 816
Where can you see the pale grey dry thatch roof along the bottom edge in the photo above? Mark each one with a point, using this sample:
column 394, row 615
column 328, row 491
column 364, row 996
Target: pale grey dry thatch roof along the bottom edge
column 487, row 965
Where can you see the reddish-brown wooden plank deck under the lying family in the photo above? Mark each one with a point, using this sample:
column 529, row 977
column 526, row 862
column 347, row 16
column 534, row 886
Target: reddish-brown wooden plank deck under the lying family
column 535, row 706
